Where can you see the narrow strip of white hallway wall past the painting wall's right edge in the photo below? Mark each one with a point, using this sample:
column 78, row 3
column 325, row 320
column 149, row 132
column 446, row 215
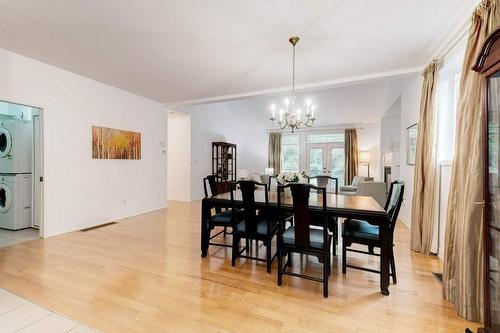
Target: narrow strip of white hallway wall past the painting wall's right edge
column 179, row 157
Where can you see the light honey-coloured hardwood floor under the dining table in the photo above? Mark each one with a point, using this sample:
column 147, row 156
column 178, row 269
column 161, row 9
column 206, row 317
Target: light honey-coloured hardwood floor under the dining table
column 145, row 274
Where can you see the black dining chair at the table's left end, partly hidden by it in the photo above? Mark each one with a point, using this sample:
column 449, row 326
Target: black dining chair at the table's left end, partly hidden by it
column 221, row 218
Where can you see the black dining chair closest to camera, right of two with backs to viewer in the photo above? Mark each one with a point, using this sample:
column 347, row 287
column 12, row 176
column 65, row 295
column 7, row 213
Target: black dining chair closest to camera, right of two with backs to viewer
column 299, row 237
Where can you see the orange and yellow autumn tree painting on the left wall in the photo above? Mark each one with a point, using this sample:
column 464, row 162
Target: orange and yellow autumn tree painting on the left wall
column 112, row 143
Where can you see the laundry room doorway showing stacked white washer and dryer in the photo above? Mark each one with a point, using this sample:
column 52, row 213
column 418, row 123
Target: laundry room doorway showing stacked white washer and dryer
column 21, row 173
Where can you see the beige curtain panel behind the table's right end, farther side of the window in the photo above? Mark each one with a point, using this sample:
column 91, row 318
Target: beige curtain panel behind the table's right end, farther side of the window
column 424, row 174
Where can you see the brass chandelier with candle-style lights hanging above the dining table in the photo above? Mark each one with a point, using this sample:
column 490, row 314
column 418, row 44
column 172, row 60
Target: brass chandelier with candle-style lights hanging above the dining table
column 290, row 116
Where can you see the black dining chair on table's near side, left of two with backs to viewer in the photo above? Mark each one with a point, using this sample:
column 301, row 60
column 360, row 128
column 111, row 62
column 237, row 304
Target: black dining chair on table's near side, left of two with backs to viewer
column 251, row 224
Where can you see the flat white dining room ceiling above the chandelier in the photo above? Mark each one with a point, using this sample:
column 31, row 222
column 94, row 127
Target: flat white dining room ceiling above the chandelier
column 181, row 50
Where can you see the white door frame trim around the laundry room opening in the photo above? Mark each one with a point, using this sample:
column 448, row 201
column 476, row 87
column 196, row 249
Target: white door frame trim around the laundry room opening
column 41, row 229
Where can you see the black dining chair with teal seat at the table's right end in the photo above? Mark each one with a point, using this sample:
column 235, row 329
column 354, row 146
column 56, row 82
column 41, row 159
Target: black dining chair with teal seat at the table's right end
column 362, row 232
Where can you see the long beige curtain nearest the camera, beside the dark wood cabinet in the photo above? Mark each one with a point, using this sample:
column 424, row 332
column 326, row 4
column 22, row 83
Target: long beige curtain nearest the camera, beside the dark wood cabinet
column 463, row 264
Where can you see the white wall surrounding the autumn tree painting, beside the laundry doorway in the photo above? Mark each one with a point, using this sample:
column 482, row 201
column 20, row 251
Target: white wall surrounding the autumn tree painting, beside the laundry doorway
column 79, row 191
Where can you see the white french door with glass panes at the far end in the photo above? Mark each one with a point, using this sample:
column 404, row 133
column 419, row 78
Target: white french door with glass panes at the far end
column 326, row 159
